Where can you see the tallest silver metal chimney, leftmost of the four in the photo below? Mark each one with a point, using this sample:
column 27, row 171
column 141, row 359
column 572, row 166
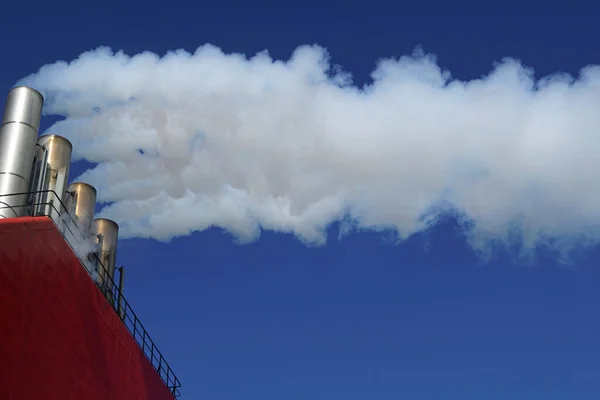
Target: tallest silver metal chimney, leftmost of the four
column 18, row 134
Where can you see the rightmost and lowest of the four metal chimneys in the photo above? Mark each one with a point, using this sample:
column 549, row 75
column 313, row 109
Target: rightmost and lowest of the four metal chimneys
column 109, row 231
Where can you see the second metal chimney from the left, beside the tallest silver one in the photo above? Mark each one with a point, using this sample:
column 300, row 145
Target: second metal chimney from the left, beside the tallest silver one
column 51, row 167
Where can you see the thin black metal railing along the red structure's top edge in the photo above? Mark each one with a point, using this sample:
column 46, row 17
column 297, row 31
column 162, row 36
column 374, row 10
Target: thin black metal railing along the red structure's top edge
column 47, row 203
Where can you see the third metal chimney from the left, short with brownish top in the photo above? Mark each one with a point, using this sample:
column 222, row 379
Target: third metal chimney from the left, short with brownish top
column 80, row 201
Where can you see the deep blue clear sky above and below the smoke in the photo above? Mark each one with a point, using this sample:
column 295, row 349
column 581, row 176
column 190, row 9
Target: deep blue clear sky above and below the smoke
column 358, row 318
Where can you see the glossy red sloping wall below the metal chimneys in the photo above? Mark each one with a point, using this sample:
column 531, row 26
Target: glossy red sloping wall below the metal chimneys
column 59, row 337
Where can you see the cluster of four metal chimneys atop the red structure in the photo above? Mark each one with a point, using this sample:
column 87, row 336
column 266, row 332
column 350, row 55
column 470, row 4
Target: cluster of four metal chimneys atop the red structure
column 34, row 175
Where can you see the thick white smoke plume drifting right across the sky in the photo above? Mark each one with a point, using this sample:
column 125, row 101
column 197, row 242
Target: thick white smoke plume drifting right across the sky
column 187, row 141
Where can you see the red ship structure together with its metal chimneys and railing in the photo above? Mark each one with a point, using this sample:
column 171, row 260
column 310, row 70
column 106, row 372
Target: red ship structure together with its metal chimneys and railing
column 66, row 330
